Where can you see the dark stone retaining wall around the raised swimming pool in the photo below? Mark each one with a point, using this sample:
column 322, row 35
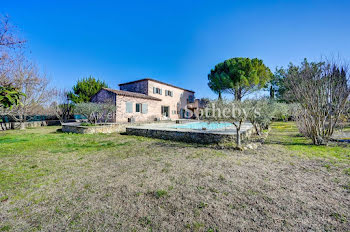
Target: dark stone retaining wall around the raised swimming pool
column 187, row 136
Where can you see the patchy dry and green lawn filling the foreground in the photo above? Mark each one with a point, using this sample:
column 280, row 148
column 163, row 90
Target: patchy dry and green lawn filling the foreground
column 53, row 181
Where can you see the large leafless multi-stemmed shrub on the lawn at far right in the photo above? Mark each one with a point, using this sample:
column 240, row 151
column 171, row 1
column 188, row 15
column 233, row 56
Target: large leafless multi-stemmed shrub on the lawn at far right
column 322, row 90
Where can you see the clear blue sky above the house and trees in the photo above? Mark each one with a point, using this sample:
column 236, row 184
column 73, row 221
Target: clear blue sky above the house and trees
column 174, row 41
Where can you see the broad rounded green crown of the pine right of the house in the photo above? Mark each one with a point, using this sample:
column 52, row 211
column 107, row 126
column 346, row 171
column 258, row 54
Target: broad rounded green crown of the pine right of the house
column 239, row 76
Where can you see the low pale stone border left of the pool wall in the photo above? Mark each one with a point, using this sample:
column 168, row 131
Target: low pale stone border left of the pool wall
column 105, row 128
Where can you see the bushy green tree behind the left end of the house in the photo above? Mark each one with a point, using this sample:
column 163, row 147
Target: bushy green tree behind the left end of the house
column 85, row 89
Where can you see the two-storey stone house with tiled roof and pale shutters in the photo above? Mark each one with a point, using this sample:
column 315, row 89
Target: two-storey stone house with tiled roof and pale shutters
column 148, row 99
